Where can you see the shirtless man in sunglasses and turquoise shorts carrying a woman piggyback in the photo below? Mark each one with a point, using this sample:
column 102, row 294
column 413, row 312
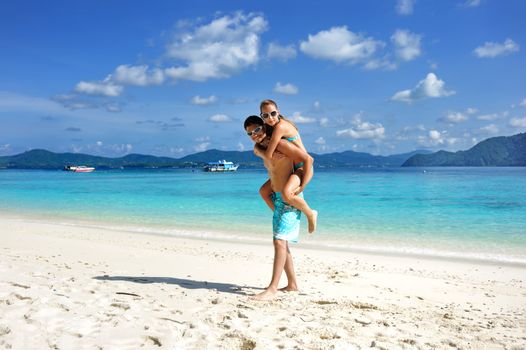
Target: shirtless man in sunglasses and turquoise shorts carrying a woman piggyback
column 286, row 219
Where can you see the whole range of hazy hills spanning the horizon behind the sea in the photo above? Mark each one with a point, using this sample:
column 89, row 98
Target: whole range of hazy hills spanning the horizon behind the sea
column 497, row 151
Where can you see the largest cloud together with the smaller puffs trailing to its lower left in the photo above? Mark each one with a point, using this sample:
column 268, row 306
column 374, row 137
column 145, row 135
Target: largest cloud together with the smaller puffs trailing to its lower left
column 217, row 50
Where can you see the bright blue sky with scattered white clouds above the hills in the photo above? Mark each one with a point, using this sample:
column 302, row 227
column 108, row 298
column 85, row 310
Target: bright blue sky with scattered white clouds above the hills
column 171, row 78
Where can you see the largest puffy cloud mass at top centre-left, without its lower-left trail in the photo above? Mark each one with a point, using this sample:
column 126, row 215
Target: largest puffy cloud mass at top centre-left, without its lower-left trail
column 217, row 50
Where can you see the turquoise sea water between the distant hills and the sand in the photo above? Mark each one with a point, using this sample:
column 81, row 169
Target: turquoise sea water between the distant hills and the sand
column 477, row 213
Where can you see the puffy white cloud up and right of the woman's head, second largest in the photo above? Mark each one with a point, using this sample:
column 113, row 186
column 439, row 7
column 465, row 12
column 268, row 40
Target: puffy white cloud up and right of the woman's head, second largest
column 340, row 45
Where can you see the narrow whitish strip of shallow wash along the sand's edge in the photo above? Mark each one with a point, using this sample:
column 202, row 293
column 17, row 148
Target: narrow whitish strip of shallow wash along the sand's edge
column 307, row 241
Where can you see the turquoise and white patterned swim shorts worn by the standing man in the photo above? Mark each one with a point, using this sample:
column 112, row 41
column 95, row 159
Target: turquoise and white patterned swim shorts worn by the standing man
column 286, row 219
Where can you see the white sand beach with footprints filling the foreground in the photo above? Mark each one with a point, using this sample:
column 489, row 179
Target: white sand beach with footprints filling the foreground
column 75, row 287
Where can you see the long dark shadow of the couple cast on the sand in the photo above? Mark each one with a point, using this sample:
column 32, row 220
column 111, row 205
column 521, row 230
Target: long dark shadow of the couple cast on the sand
column 182, row 282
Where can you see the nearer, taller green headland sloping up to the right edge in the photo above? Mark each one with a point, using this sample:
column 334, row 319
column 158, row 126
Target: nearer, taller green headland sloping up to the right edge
column 495, row 151
